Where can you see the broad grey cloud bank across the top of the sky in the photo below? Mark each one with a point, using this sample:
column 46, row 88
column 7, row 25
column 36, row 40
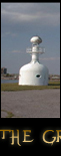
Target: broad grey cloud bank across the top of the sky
column 46, row 14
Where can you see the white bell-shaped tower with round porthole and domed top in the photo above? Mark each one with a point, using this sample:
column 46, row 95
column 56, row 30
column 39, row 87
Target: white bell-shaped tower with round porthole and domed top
column 34, row 73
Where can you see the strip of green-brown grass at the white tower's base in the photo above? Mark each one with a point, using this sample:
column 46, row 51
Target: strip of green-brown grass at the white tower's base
column 16, row 87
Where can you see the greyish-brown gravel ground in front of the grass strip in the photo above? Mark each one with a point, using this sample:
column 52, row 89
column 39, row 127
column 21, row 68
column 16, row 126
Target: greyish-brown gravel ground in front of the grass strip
column 31, row 104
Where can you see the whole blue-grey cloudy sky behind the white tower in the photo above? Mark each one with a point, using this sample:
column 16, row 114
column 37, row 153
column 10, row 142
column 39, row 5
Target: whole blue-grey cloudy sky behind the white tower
column 19, row 23
